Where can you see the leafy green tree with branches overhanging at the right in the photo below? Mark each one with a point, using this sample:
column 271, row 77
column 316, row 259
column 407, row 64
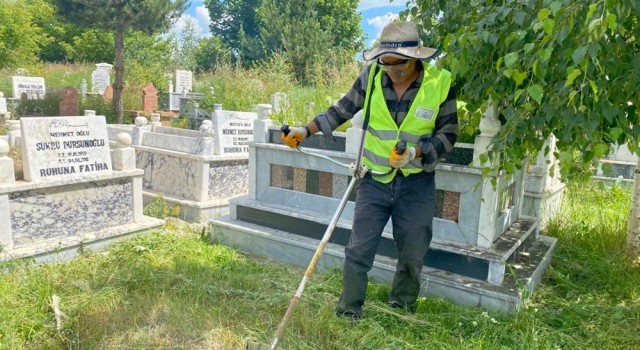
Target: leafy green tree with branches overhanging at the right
column 562, row 67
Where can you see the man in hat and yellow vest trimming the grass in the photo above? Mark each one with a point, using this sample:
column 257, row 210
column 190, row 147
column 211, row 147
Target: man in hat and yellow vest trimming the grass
column 408, row 100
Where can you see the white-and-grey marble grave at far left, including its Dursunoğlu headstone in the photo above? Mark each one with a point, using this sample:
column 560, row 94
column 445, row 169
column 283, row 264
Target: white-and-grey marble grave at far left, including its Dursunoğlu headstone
column 77, row 193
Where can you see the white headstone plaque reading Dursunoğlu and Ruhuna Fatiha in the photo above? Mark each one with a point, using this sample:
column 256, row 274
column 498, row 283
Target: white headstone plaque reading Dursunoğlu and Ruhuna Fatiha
column 64, row 147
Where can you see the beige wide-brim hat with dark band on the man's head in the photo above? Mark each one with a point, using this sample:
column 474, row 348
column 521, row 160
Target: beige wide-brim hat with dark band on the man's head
column 401, row 39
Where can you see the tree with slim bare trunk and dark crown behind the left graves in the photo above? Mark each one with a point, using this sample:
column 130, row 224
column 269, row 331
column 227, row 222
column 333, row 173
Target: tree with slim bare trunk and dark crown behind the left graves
column 120, row 16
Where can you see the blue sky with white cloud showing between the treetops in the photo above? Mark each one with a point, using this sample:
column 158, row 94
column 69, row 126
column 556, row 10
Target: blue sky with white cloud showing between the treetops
column 375, row 15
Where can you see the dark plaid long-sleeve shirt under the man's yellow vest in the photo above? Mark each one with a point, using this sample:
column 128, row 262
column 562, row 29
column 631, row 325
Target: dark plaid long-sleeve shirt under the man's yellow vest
column 433, row 146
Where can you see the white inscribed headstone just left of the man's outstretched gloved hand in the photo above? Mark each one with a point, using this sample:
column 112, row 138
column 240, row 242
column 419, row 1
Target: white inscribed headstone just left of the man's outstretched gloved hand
column 234, row 131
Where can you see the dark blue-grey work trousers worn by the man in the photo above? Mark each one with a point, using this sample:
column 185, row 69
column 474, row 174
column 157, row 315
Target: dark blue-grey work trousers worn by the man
column 410, row 202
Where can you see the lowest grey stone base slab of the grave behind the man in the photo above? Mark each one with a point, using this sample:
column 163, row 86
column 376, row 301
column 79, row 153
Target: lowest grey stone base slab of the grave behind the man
column 296, row 250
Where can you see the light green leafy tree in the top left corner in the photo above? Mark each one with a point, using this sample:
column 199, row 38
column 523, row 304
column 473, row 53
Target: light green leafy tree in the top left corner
column 20, row 35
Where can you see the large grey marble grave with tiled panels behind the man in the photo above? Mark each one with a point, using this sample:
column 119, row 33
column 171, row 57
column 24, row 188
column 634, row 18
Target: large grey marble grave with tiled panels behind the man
column 484, row 251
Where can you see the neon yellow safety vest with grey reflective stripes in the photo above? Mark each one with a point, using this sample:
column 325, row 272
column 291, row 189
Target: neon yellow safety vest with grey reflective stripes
column 383, row 133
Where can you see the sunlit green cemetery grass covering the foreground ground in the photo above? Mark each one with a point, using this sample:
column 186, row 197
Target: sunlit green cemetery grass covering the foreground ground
column 173, row 289
